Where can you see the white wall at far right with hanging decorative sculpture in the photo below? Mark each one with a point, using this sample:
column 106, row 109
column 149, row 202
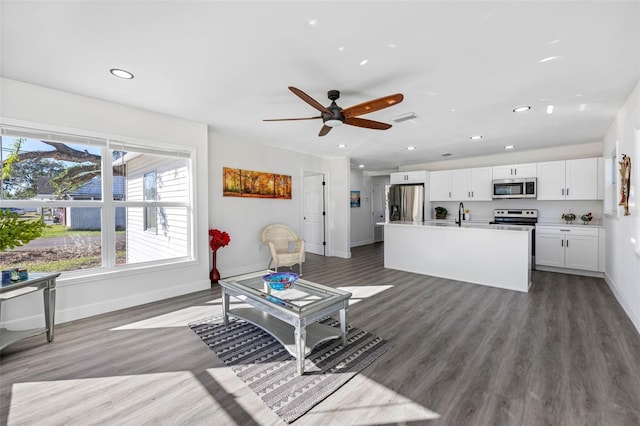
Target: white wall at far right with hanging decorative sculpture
column 623, row 263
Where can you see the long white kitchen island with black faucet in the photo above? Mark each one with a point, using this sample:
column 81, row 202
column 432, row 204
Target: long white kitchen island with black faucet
column 491, row 255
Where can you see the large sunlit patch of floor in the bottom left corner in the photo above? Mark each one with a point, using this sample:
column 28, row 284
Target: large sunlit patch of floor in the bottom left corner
column 132, row 399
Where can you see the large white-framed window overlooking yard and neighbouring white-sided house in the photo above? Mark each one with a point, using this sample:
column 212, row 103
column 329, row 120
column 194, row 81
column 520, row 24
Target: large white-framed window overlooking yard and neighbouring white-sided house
column 108, row 204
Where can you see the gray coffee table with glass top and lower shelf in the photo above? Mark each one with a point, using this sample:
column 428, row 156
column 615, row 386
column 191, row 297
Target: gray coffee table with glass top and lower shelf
column 289, row 315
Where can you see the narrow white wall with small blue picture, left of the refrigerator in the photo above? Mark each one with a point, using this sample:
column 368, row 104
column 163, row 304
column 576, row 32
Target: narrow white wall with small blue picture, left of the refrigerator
column 361, row 223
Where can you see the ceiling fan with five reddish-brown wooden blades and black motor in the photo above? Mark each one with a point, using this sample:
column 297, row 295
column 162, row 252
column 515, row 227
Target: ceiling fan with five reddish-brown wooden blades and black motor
column 333, row 115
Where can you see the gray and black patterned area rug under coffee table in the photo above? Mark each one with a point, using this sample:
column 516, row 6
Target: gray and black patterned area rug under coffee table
column 270, row 371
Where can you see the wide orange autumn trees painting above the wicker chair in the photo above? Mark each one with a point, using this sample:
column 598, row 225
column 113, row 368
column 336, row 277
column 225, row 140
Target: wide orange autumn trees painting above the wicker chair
column 252, row 184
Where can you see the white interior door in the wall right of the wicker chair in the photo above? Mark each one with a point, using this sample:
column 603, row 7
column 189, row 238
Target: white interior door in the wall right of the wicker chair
column 314, row 214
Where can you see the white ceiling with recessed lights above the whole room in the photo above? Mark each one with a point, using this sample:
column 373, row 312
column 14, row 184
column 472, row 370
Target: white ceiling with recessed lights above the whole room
column 462, row 67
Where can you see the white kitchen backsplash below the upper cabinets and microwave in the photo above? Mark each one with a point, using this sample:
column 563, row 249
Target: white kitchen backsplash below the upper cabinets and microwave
column 548, row 211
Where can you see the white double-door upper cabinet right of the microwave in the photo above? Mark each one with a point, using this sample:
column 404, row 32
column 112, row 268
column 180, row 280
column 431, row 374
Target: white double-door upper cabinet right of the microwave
column 568, row 180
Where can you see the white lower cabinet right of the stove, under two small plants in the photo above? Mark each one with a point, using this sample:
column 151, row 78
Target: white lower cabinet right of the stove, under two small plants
column 570, row 247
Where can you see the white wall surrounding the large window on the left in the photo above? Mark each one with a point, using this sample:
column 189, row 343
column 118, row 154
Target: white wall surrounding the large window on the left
column 59, row 111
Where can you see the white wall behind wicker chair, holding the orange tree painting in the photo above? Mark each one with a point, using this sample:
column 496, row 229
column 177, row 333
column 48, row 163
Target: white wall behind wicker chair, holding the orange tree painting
column 244, row 218
